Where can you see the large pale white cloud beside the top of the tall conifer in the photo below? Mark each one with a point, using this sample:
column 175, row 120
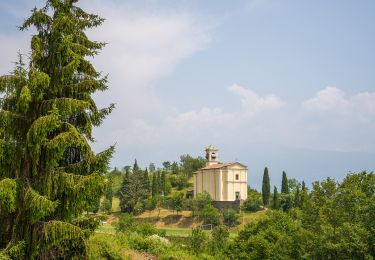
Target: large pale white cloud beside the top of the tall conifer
column 146, row 45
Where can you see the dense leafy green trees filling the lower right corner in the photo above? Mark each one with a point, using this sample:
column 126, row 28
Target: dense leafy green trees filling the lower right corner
column 332, row 221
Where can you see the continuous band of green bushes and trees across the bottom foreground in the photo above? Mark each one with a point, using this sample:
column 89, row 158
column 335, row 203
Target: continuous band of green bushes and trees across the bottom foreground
column 336, row 220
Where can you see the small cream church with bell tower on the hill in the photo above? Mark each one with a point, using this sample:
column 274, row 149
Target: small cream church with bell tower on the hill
column 223, row 181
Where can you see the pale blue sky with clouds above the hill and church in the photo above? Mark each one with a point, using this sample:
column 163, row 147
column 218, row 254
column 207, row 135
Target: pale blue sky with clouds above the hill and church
column 284, row 84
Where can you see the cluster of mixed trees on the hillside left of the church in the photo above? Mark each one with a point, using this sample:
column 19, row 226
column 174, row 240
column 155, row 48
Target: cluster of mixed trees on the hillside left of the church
column 146, row 189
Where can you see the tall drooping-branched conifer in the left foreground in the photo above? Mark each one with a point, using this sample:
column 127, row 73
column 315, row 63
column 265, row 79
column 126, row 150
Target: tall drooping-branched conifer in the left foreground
column 48, row 173
